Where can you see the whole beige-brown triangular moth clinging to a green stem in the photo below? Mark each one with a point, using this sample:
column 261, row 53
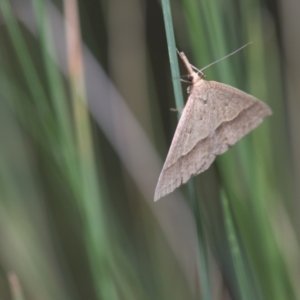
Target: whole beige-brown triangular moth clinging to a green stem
column 214, row 118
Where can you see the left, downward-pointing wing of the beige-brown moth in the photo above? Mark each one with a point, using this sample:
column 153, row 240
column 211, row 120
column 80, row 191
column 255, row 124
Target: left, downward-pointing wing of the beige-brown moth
column 186, row 155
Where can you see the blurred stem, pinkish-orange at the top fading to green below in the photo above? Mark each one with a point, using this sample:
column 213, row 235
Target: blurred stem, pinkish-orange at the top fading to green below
column 91, row 196
